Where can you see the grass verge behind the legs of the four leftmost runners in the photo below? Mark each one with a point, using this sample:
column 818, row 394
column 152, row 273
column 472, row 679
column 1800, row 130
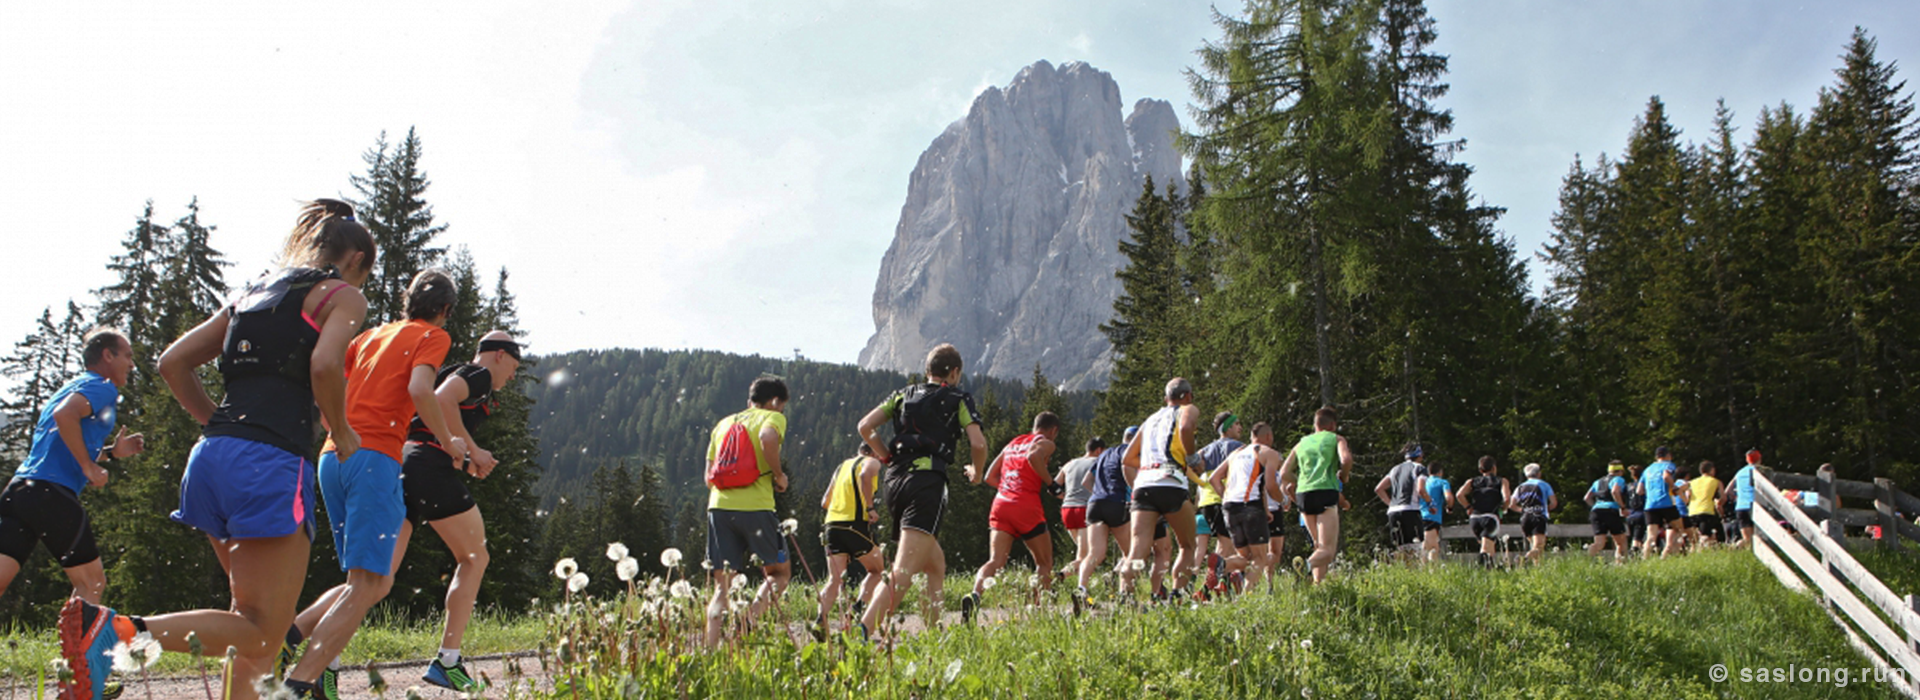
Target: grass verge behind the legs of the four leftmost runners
column 26, row 653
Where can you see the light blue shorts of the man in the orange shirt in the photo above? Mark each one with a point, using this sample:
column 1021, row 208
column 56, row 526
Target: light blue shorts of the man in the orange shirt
column 366, row 509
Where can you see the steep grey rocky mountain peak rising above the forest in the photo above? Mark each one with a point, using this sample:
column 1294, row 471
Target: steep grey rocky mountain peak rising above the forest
column 1011, row 233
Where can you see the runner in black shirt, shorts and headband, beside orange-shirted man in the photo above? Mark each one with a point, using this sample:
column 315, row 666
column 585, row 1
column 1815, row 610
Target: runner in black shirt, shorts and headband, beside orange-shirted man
column 437, row 494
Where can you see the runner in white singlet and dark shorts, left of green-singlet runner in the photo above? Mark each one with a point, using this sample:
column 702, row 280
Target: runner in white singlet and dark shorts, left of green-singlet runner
column 1247, row 478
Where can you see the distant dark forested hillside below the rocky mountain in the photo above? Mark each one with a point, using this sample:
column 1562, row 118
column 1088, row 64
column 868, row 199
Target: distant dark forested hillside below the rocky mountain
column 635, row 423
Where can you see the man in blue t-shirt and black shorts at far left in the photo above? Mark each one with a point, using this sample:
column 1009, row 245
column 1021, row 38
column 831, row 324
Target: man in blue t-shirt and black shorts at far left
column 43, row 502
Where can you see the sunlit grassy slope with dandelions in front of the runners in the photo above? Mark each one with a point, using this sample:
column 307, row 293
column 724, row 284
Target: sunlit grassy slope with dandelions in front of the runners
column 1566, row 630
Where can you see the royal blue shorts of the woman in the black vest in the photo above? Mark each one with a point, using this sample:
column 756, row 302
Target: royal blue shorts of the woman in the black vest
column 243, row 490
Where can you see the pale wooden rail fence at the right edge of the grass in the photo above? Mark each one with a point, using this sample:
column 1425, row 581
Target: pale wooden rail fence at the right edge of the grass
column 1813, row 557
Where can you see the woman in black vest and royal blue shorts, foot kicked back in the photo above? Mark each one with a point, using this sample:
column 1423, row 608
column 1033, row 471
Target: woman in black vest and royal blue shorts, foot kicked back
column 251, row 480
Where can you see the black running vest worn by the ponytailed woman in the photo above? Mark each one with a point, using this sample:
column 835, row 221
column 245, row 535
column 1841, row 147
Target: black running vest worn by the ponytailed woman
column 266, row 362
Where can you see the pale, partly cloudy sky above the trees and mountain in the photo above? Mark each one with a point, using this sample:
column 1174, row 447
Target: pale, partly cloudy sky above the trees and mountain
column 727, row 175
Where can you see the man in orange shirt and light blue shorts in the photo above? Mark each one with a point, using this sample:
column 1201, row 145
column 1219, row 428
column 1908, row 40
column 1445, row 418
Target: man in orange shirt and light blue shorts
column 391, row 379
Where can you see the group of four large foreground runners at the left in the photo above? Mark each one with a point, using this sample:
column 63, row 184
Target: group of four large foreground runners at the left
column 291, row 348
